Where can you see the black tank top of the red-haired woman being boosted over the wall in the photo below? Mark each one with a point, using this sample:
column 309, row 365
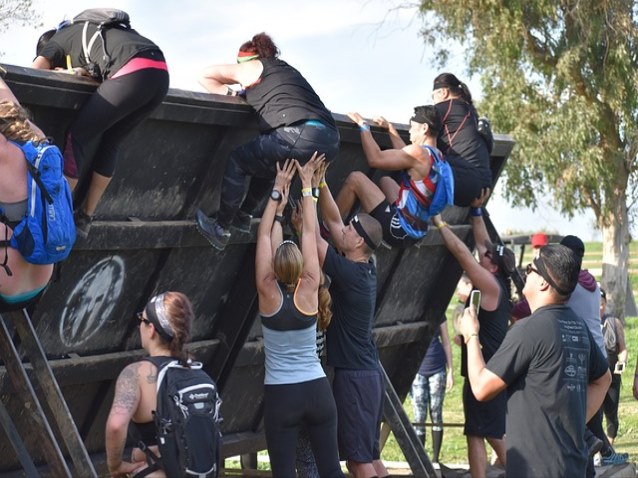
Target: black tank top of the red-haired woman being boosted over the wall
column 282, row 97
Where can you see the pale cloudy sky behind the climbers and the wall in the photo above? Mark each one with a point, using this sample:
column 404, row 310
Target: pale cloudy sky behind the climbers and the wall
column 359, row 55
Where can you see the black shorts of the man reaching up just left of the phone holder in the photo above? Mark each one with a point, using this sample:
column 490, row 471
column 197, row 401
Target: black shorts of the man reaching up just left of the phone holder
column 484, row 419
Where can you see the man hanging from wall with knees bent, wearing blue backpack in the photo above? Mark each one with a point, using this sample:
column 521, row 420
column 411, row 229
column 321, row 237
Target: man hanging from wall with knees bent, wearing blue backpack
column 403, row 208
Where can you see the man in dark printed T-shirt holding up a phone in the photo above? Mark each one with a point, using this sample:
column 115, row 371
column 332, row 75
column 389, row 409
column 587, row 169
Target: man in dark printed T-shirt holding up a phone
column 553, row 371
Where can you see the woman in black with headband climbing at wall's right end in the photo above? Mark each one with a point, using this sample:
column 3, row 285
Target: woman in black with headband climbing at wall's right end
column 459, row 139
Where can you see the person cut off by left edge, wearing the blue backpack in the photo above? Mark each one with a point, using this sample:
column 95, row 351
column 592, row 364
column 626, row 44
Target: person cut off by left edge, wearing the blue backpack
column 26, row 282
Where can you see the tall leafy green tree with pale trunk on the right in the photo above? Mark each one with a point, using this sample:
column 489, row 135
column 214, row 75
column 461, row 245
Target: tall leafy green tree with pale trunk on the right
column 560, row 76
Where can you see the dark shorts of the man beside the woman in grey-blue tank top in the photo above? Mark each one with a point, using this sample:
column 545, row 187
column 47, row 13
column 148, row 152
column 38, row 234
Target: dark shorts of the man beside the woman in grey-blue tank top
column 359, row 398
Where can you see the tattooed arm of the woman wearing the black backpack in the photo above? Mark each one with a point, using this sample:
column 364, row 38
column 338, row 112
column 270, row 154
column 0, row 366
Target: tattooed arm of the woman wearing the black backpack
column 125, row 403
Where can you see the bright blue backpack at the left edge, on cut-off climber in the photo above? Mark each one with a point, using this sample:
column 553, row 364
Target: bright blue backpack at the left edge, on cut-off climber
column 46, row 233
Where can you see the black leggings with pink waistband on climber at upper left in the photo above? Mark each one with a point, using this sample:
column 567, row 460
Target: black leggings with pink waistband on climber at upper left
column 109, row 116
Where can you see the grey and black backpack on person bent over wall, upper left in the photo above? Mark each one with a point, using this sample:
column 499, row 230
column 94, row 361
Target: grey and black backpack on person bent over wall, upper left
column 102, row 18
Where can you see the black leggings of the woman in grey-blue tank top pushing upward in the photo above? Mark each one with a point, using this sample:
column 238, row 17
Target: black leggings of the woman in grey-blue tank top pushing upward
column 286, row 408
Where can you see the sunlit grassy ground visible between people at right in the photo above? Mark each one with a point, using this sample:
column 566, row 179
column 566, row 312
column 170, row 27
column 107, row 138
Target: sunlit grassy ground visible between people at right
column 454, row 446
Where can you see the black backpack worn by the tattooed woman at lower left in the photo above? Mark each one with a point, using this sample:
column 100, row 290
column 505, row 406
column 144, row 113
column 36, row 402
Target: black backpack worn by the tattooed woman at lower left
column 187, row 421
